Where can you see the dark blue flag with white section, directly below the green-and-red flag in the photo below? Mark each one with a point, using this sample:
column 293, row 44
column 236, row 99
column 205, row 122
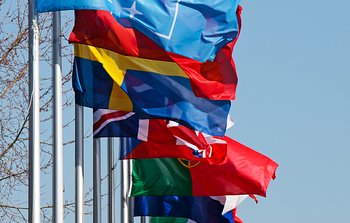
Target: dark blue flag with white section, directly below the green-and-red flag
column 198, row 209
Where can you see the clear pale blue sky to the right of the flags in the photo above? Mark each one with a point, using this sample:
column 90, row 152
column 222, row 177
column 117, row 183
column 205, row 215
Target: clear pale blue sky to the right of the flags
column 293, row 105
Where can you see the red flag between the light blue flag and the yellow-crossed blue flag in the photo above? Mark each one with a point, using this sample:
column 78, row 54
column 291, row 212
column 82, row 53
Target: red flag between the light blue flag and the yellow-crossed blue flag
column 215, row 80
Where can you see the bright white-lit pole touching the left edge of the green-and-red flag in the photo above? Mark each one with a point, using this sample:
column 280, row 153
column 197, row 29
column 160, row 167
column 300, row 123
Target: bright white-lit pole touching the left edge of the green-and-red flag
column 125, row 183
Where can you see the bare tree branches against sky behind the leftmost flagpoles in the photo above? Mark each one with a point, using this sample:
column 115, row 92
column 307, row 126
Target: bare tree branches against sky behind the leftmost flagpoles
column 14, row 107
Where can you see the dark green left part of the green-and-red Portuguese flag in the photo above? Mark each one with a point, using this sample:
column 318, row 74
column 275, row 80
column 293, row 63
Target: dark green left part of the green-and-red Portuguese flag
column 158, row 177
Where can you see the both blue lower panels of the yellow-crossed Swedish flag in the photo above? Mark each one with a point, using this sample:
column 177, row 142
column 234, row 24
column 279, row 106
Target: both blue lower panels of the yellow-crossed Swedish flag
column 152, row 95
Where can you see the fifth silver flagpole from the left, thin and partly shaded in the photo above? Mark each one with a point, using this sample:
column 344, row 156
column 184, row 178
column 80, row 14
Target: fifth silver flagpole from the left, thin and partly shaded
column 111, row 194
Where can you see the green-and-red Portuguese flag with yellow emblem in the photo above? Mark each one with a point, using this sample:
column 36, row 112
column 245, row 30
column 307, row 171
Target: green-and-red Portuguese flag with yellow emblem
column 244, row 171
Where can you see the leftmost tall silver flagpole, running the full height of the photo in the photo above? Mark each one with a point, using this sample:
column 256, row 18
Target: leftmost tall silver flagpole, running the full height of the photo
column 34, row 117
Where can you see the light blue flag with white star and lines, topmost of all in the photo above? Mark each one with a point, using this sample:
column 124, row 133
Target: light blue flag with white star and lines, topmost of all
column 212, row 23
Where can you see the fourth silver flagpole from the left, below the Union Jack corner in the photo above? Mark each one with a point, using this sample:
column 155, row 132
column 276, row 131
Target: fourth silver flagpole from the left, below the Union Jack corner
column 97, row 181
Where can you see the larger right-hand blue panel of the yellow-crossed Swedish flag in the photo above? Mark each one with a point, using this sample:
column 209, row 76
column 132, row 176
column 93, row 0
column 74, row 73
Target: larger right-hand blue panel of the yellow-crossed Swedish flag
column 172, row 97
